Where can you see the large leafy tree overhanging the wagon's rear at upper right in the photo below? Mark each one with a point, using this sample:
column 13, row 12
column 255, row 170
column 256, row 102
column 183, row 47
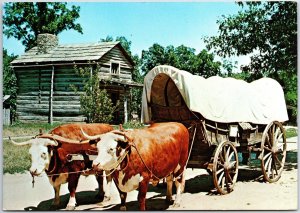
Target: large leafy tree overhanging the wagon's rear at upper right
column 268, row 31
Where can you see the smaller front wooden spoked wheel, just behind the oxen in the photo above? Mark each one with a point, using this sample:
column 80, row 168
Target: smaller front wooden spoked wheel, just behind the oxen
column 225, row 167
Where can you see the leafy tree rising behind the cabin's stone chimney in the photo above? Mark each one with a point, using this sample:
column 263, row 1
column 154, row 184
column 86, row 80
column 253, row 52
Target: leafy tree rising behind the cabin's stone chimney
column 25, row 20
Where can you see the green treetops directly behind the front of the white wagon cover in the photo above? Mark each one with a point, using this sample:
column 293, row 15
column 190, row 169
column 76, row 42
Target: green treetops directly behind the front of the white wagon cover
column 181, row 57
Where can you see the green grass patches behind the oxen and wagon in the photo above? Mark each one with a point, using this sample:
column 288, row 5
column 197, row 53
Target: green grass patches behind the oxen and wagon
column 16, row 159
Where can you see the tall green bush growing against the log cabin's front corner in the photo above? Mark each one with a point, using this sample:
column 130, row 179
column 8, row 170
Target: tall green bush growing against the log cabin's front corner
column 95, row 103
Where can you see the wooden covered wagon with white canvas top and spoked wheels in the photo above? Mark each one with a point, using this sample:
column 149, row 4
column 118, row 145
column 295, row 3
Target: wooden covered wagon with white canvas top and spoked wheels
column 225, row 116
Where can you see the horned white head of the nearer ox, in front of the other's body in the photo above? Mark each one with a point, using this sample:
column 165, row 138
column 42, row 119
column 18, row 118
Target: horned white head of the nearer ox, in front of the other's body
column 111, row 147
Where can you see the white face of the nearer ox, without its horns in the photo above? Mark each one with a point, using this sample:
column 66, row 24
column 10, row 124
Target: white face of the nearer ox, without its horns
column 107, row 158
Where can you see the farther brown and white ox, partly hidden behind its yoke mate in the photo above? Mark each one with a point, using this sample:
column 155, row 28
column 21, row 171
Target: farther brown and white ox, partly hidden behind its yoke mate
column 49, row 153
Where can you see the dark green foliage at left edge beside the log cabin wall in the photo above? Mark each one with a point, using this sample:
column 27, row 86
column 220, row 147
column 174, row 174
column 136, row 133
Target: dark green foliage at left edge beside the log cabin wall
column 10, row 82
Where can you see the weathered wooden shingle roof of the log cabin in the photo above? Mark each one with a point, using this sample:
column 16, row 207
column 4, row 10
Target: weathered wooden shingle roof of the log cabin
column 66, row 53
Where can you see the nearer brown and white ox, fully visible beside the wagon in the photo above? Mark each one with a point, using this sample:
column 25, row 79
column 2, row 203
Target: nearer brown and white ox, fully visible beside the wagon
column 144, row 155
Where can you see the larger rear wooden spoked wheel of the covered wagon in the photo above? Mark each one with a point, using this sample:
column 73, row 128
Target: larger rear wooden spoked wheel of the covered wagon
column 273, row 151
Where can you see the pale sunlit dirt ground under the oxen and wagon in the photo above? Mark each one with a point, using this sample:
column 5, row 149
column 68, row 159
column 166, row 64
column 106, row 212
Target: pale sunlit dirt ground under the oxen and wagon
column 250, row 192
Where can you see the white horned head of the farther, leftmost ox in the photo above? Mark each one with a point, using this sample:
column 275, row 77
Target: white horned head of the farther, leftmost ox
column 40, row 153
